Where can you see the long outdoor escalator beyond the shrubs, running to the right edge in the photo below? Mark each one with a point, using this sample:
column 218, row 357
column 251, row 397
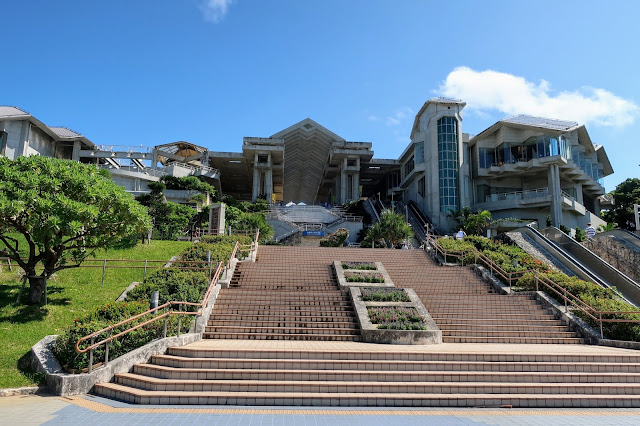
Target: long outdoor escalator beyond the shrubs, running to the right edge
column 583, row 262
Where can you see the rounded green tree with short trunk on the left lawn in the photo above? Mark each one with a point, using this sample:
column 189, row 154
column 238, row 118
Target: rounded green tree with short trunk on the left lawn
column 64, row 211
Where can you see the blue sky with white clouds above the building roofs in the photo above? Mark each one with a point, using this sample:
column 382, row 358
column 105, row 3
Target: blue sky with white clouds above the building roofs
column 148, row 72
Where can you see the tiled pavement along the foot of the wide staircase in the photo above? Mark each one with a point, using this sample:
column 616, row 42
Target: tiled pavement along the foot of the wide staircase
column 36, row 410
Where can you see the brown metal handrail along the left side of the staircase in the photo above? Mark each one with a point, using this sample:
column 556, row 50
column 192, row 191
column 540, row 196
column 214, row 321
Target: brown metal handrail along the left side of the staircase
column 168, row 307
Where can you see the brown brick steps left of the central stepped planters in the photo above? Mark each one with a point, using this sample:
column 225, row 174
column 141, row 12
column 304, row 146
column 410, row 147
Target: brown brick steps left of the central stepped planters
column 283, row 301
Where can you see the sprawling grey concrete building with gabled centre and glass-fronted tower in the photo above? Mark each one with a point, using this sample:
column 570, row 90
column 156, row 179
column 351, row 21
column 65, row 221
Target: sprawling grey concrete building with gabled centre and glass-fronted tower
column 521, row 167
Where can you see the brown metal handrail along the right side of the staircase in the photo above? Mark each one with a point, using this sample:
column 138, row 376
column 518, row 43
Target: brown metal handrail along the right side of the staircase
column 568, row 299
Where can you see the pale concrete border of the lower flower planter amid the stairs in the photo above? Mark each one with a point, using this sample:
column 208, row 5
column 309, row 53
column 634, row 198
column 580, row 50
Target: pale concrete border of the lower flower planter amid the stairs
column 372, row 334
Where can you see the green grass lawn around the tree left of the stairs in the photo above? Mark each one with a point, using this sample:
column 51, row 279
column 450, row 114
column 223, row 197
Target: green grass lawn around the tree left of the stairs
column 72, row 294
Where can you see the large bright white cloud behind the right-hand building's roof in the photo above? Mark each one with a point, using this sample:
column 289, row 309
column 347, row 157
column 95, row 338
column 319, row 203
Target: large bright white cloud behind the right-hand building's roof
column 510, row 94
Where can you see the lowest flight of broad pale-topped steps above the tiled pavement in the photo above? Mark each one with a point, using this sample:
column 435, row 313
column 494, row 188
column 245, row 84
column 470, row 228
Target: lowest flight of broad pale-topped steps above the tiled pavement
column 354, row 374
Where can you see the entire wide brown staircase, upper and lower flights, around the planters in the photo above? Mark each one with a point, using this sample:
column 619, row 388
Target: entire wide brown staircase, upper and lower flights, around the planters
column 283, row 334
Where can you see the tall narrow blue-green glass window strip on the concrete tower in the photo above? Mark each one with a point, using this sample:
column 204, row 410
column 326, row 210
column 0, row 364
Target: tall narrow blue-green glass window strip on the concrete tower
column 448, row 163
